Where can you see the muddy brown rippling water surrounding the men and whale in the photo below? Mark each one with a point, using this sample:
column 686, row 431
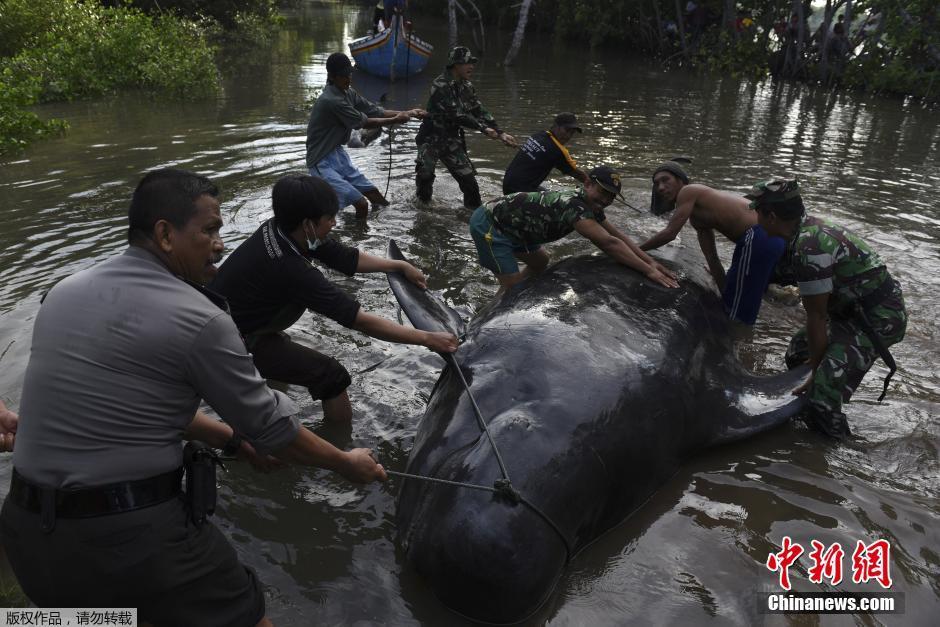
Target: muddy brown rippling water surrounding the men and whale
column 325, row 549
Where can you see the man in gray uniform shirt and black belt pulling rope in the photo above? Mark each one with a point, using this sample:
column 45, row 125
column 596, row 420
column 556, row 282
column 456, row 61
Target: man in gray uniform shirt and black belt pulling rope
column 121, row 355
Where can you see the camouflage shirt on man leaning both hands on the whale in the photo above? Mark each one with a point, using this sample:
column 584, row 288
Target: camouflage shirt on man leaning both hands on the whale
column 534, row 218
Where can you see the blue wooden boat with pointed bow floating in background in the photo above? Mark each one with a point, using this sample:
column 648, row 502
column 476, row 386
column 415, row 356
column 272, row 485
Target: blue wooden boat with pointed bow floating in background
column 393, row 53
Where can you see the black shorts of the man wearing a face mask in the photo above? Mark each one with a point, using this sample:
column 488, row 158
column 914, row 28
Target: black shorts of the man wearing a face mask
column 277, row 357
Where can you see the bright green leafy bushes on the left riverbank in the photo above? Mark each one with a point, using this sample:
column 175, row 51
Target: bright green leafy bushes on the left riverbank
column 63, row 50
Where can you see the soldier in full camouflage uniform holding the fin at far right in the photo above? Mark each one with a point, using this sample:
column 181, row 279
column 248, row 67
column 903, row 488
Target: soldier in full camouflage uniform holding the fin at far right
column 854, row 308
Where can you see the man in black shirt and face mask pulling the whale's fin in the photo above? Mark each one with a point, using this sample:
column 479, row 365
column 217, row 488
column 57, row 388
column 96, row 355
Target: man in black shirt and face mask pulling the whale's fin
column 269, row 281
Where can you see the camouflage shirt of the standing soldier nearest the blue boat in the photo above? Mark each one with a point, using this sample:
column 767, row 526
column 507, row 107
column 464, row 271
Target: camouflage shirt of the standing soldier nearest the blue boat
column 453, row 104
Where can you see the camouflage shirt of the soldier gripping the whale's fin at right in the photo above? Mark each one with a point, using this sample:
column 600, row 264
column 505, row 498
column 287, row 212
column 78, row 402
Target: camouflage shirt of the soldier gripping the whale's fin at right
column 826, row 258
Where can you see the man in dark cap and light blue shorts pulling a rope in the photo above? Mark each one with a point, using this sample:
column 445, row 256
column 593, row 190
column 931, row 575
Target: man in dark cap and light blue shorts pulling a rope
column 337, row 111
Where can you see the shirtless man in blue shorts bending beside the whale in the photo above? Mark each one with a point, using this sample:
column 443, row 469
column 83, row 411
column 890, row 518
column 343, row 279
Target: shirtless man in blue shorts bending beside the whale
column 709, row 210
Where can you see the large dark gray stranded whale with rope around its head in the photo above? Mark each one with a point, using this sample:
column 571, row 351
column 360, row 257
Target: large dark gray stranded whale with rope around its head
column 596, row 384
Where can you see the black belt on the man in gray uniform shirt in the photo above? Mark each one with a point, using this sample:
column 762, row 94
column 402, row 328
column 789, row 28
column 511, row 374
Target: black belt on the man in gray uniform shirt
column 114, row 498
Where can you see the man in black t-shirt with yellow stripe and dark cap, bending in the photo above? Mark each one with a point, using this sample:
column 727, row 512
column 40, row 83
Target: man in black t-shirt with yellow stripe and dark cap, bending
column 542, row 152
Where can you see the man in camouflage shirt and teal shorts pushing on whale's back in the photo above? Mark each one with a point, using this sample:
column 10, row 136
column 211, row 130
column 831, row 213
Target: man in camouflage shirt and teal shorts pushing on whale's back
column 513, row 228
